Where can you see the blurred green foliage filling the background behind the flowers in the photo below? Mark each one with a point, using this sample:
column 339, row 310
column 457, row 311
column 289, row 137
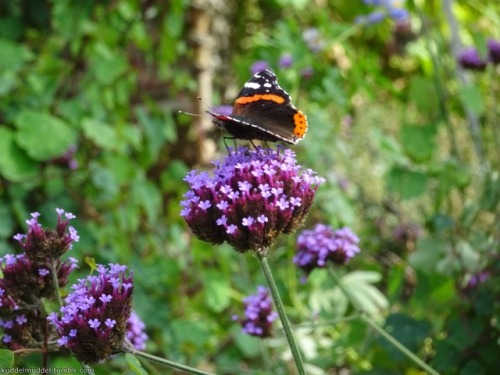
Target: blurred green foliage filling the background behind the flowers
column 89, row 94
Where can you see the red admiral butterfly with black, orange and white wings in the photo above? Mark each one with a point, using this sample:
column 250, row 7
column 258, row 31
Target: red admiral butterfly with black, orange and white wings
column 263, row 111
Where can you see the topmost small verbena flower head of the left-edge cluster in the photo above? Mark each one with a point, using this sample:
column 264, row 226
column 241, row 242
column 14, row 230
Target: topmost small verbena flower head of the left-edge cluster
column 40, row 244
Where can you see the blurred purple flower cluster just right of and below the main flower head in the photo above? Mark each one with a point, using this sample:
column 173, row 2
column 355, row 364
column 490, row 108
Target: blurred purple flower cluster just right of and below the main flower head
column 317, row 247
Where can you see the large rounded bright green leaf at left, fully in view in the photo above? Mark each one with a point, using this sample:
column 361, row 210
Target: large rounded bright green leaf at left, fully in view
column 42, row 135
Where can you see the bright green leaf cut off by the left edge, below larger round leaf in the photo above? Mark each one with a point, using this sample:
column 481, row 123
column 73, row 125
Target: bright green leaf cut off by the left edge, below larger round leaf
column 15, row 165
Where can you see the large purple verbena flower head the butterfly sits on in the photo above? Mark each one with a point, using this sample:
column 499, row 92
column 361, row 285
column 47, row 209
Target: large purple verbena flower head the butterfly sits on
column 249, row 199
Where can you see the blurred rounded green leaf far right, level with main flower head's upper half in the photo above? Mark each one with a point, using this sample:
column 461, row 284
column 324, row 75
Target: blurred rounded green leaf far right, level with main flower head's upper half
column 407, row 184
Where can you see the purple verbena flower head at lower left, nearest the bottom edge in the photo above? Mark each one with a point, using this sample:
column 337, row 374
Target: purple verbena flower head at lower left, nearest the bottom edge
column 92, row 324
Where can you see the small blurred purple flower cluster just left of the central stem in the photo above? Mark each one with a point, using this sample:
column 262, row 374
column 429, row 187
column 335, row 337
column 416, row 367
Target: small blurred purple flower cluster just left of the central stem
column 259, row 314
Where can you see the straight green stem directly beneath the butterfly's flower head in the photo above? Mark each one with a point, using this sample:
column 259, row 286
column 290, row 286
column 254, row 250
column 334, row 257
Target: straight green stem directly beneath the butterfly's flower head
column 281, row 312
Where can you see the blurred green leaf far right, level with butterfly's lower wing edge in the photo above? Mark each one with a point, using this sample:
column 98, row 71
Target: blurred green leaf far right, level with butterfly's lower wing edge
column 419, row 141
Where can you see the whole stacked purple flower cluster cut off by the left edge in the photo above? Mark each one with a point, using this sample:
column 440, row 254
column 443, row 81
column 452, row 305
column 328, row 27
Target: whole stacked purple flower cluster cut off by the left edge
column 27, row 279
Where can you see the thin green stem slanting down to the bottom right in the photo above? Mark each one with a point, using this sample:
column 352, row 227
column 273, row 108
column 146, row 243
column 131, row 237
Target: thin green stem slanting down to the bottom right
column 403, row 349
